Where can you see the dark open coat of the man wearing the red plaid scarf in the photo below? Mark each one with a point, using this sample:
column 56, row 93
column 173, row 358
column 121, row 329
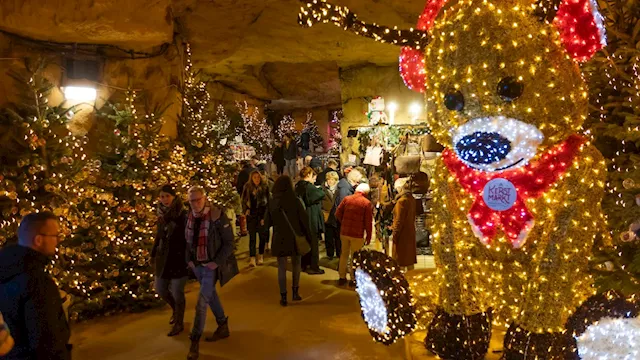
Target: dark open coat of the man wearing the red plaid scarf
column 219, row 246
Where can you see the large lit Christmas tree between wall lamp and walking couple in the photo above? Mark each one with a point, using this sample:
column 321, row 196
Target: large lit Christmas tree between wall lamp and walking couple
column 105, row 264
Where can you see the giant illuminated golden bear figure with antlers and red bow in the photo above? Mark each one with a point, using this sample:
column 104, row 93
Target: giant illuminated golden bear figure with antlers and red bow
column 517, row 190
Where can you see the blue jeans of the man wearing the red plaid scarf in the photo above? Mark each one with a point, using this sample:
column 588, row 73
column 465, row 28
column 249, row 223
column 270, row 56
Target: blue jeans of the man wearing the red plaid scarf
column 208, row 297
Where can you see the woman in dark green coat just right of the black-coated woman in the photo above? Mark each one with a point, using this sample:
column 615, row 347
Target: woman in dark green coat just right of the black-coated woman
column 312, row 197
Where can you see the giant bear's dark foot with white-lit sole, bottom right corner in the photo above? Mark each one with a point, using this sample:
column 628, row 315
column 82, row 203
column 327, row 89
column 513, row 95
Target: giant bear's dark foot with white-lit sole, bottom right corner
column 606, row 326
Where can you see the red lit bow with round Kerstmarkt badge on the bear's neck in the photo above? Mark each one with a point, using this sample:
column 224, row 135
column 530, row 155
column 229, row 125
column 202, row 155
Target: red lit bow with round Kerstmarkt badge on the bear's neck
column 500, row 197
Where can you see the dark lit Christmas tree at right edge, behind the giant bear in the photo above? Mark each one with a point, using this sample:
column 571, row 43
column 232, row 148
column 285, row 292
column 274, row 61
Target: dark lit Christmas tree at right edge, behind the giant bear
column 614, row 76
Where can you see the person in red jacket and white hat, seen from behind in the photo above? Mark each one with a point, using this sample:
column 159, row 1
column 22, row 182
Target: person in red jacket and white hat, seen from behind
column 355, row 215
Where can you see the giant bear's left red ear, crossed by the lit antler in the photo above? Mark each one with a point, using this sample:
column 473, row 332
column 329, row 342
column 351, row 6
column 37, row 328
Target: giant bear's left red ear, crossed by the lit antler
column 412, row 60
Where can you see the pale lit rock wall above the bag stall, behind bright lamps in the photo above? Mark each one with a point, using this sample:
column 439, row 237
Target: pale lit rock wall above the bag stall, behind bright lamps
column 361, row 83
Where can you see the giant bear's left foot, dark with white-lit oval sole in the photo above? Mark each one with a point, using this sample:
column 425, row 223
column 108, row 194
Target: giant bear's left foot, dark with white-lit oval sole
column 385, row 298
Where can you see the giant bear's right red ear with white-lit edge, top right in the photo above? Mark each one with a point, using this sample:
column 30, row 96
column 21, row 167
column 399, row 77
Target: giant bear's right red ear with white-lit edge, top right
column 581, row 28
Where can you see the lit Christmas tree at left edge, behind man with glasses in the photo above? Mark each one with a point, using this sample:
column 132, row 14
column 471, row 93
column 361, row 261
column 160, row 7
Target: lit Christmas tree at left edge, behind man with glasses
column 42, row 162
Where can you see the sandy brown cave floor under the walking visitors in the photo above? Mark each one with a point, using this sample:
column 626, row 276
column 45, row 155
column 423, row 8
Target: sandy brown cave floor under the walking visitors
column 325, row 325
